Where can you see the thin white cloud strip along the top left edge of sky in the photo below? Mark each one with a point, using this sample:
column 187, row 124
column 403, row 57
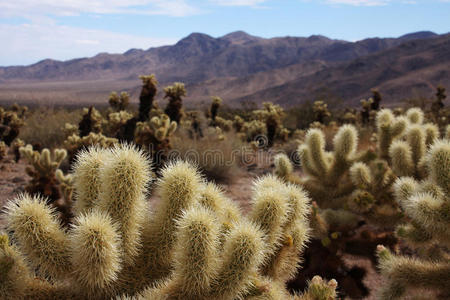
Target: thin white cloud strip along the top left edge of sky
column 29, row 8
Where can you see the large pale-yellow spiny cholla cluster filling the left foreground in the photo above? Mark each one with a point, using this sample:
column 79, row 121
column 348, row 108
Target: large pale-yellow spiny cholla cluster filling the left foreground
column 195, row 244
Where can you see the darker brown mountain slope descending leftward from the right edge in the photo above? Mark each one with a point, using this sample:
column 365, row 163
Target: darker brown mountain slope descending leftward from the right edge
column 413, row 68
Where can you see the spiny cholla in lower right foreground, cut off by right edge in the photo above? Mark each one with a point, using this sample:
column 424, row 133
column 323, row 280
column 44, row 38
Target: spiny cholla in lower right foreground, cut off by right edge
column 427, row 204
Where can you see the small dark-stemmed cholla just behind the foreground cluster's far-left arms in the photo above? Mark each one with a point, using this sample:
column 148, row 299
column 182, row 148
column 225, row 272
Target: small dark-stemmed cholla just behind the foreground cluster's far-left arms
column 42, row 171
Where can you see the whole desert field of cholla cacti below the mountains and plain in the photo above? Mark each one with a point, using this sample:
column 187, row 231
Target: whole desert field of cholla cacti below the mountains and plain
column 147, row 198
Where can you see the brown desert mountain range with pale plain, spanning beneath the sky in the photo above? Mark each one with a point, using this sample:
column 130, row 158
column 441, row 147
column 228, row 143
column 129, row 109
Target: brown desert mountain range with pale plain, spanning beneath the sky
column 243, row 68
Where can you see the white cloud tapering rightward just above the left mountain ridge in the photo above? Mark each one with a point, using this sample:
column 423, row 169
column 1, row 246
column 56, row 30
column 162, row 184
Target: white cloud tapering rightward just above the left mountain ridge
column 30, row 43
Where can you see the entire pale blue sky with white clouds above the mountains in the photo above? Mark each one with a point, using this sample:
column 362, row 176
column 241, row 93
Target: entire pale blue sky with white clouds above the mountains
column 32, row 30
